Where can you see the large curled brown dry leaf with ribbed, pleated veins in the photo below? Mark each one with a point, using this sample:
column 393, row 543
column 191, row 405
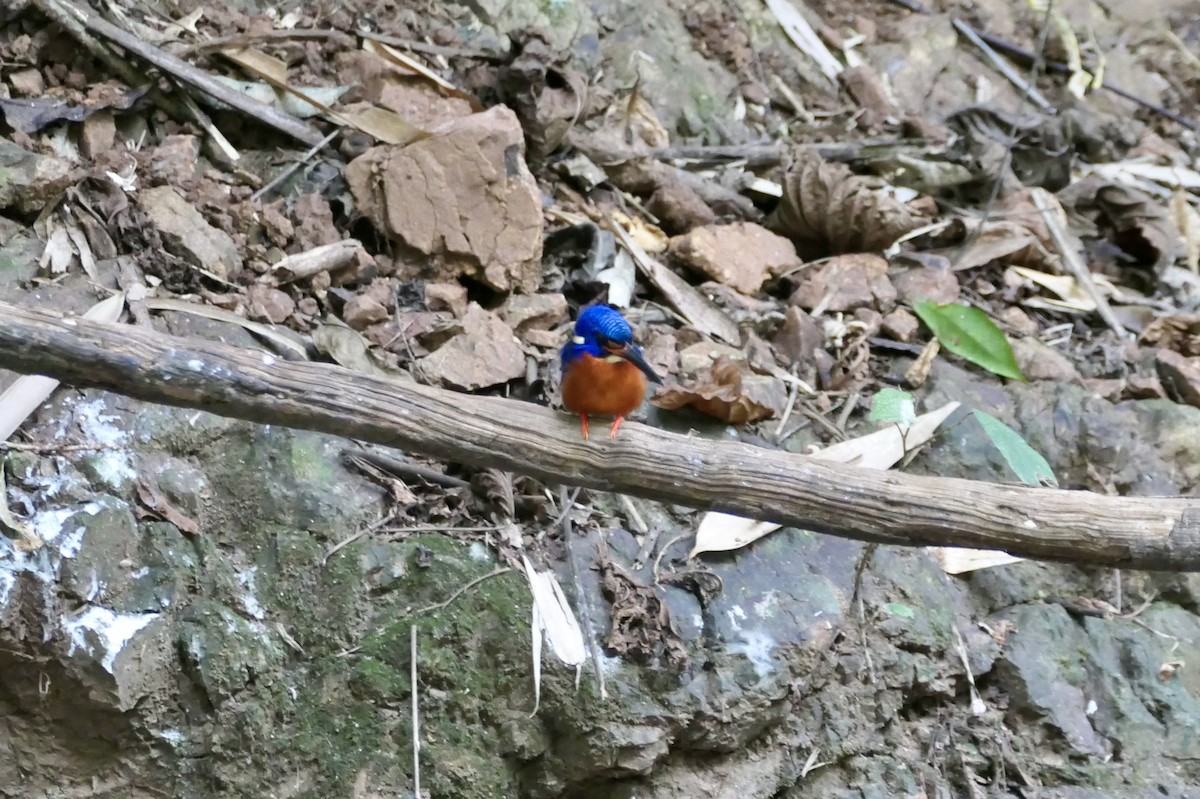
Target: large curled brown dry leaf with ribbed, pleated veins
column 827, row 209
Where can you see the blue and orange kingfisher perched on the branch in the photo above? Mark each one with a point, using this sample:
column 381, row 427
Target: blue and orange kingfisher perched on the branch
column 604, row 371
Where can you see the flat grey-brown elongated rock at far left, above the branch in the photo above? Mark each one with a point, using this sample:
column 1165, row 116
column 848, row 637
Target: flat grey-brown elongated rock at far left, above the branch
column 185, row 233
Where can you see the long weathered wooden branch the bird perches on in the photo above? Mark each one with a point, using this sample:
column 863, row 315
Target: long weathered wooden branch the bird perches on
column 883, row 507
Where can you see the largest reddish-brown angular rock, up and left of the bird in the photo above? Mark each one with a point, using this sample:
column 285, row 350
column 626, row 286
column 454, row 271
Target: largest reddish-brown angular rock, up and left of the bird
column 463, row 197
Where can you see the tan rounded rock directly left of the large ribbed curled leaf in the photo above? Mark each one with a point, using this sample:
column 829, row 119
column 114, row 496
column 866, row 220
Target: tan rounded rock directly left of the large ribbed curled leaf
column 742, row 255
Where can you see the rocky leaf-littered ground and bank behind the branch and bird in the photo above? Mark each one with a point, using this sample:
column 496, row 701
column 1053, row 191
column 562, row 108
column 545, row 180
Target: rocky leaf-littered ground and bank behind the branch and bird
column 200, row 608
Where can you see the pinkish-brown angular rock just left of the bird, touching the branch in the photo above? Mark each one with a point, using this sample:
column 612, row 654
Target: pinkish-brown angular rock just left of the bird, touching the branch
column 484, row 355
